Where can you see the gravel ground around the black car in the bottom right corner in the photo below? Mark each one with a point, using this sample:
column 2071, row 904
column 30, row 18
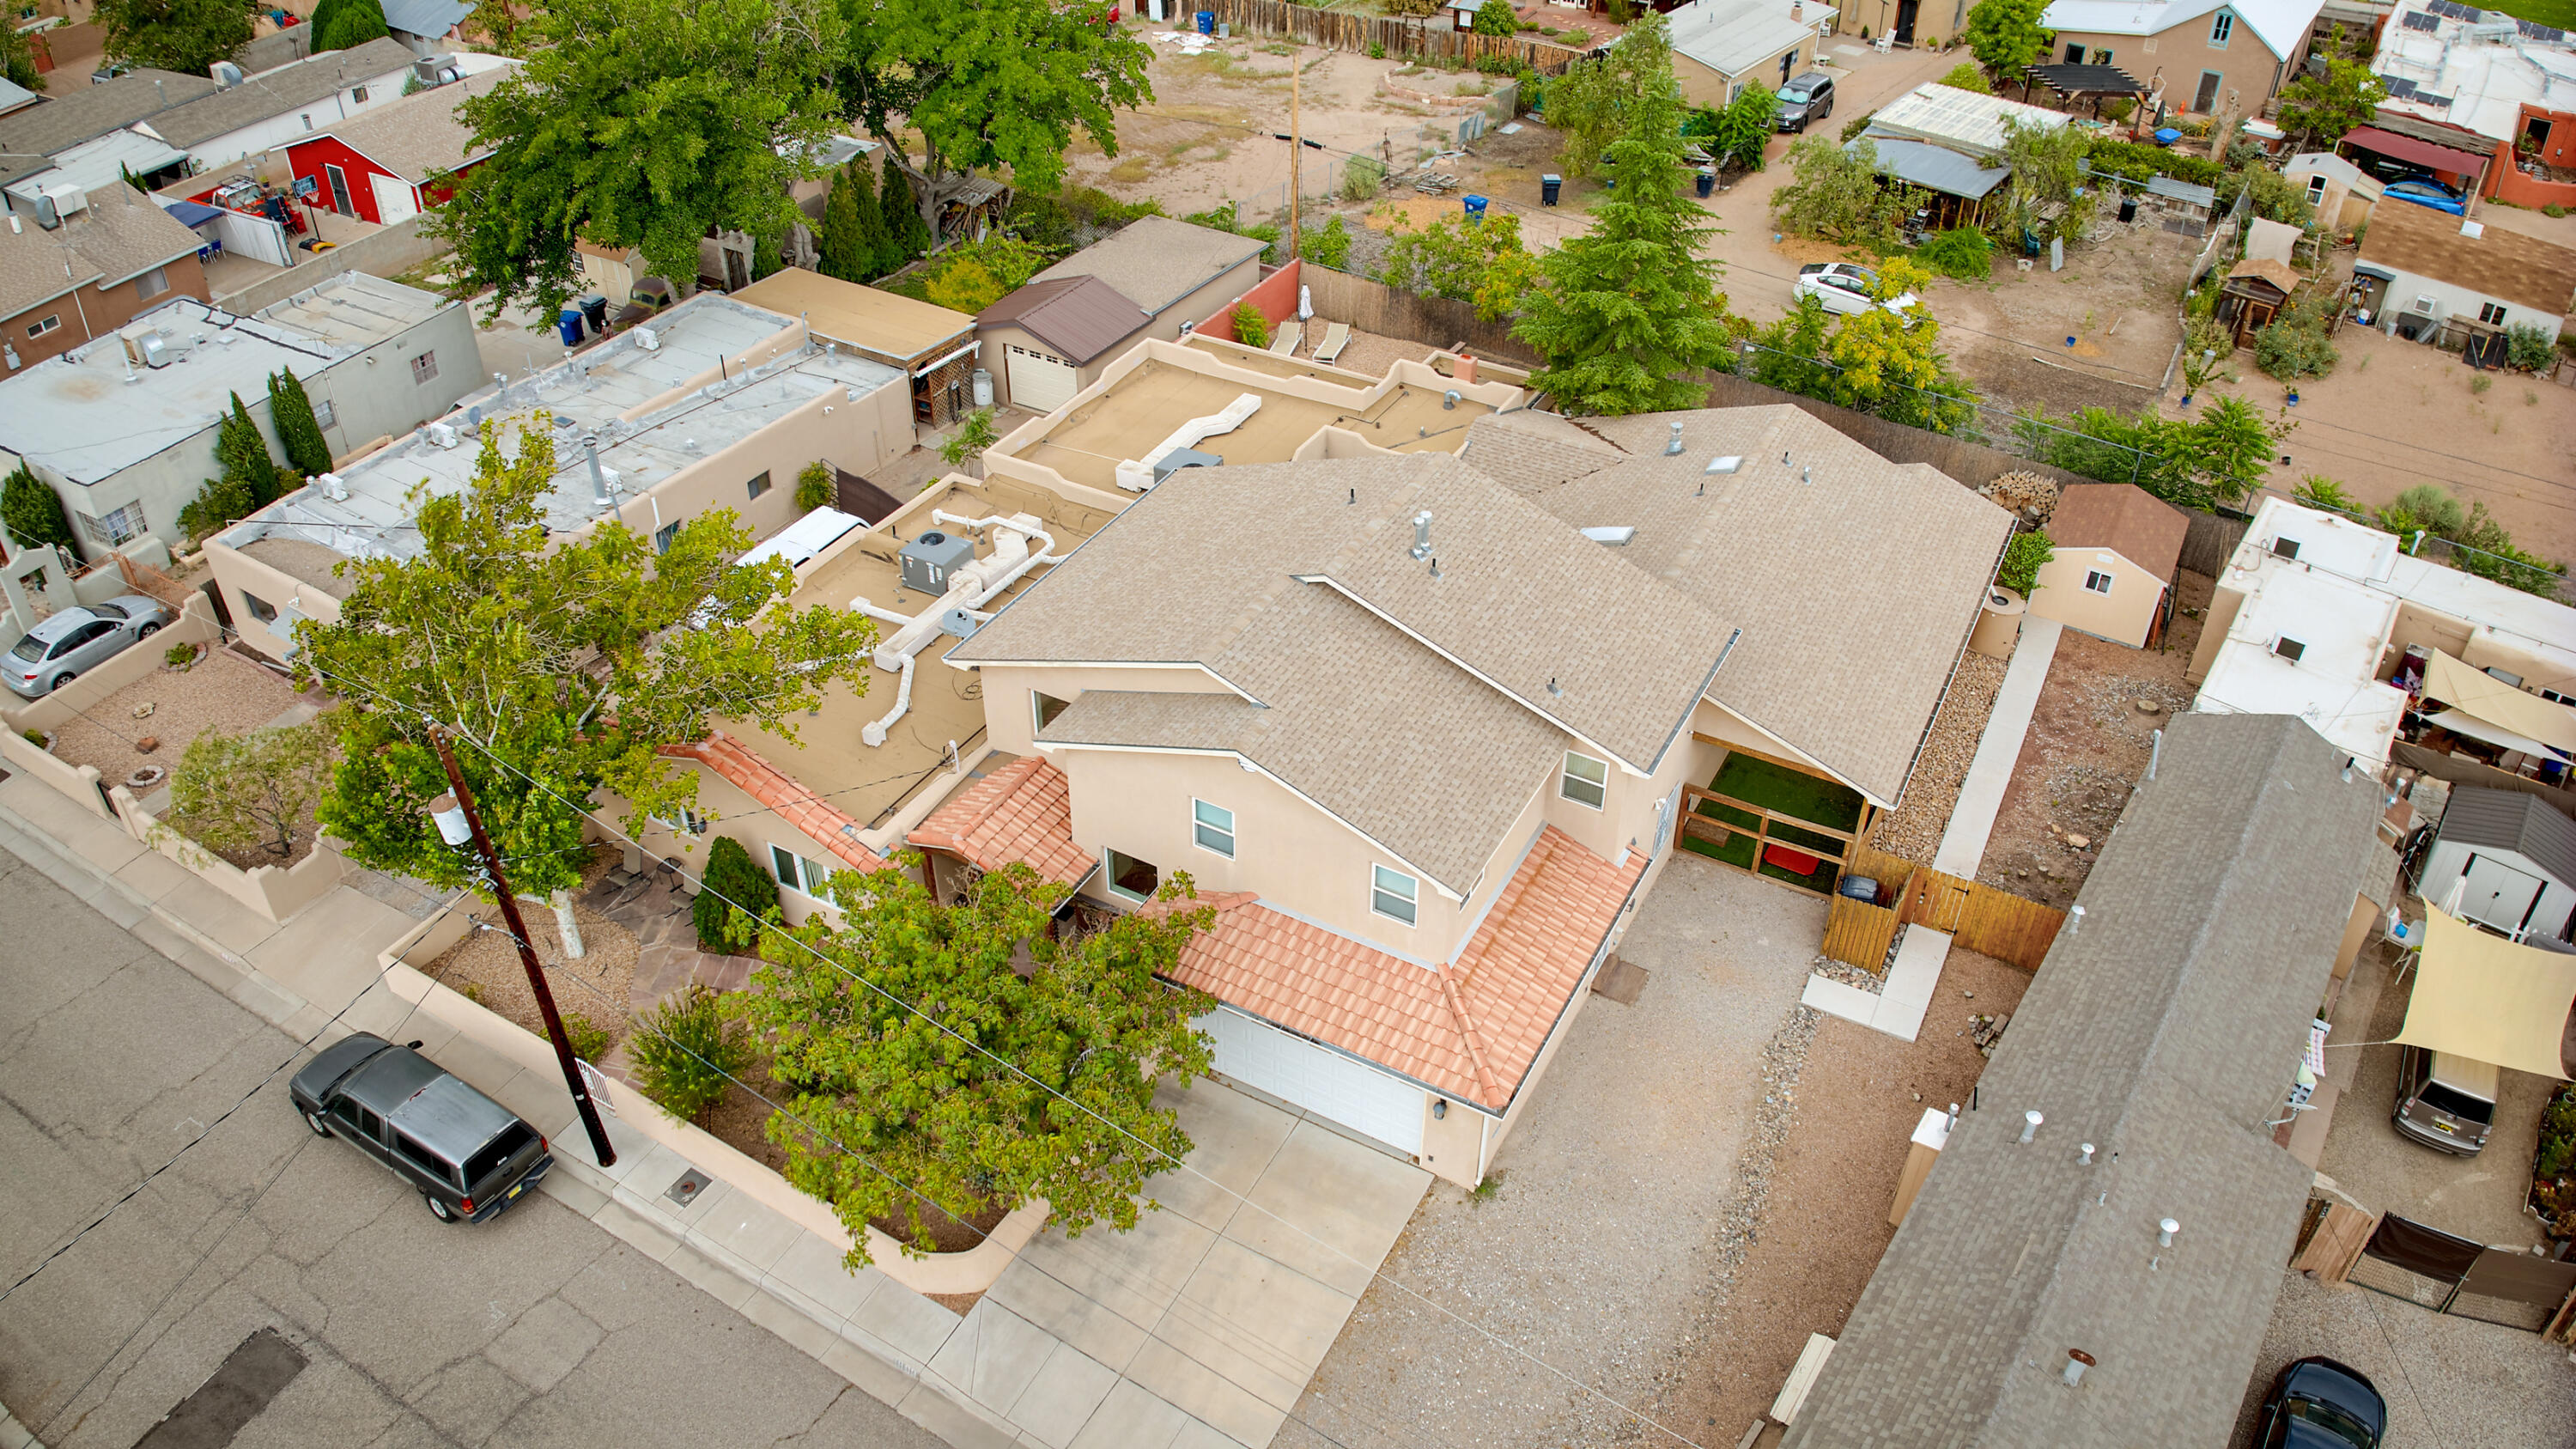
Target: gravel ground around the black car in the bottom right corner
column 2448, row 1381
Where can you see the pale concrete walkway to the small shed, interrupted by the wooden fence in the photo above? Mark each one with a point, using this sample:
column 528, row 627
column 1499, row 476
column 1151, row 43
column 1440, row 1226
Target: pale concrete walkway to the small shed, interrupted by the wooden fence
column 1920, row 955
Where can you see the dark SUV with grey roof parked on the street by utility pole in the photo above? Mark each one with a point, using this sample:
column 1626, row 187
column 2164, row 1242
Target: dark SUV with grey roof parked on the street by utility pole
column 468, row 1154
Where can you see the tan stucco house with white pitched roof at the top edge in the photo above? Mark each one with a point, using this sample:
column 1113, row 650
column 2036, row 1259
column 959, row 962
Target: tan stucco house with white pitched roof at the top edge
column 2204, row 55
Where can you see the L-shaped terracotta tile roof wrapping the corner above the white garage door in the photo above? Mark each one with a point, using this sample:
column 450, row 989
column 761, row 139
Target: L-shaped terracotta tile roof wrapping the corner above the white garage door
column 1470, row 1030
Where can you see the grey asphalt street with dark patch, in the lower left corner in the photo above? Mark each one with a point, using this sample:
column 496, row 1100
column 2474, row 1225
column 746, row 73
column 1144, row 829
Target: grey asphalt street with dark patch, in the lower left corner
column 277, row 1290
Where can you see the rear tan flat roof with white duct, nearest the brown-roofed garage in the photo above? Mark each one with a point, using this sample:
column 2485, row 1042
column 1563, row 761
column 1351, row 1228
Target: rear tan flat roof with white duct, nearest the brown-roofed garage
column 1150, row 404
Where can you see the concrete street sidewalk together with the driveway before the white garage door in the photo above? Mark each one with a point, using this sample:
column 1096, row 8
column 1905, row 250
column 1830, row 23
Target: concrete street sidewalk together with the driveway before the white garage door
column 1194, row 1332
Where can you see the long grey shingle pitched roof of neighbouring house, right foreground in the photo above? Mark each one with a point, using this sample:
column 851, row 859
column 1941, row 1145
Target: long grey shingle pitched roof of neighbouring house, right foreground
column 2108, row 1280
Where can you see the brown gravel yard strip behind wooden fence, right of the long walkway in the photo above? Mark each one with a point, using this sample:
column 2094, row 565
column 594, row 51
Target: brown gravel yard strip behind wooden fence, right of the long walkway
column 2088, row 746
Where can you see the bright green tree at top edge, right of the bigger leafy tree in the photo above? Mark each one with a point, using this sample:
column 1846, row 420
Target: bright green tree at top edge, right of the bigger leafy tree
column 996, row 86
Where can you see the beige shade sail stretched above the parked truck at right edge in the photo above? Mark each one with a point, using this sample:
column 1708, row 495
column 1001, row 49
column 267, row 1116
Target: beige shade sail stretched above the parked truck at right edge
column 2487, row 999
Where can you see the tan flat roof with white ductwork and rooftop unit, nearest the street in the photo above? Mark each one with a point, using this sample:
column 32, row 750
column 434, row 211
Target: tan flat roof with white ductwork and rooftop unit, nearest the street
column 947, row 703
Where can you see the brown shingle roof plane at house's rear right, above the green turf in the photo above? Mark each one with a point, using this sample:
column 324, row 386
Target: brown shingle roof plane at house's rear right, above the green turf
column 1856, row 579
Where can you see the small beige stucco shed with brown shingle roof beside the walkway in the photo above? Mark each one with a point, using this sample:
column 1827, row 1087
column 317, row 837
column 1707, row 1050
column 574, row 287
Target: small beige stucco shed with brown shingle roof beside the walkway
column 2114, row 574
